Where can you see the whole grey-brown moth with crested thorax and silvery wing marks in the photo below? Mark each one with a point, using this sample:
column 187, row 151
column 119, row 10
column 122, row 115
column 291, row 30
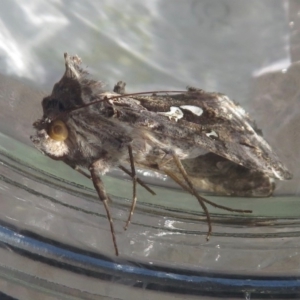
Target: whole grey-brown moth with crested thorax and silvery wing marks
column 200, row 139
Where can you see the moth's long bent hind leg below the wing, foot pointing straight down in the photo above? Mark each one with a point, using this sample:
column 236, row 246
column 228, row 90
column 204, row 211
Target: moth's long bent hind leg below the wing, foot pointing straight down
column 194, row 192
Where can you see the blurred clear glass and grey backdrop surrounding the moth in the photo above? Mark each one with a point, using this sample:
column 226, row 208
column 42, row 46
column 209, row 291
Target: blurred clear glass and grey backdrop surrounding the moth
column 55, row 239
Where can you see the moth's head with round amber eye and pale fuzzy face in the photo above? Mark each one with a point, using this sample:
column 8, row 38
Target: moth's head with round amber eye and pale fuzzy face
column 51, row 137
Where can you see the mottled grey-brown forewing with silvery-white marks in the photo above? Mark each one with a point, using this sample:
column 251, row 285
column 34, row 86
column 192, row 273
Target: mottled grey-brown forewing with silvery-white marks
column 223, row 128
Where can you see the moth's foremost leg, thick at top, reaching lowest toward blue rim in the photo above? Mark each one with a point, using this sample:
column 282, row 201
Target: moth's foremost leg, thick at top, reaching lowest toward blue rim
column 98, row 184
